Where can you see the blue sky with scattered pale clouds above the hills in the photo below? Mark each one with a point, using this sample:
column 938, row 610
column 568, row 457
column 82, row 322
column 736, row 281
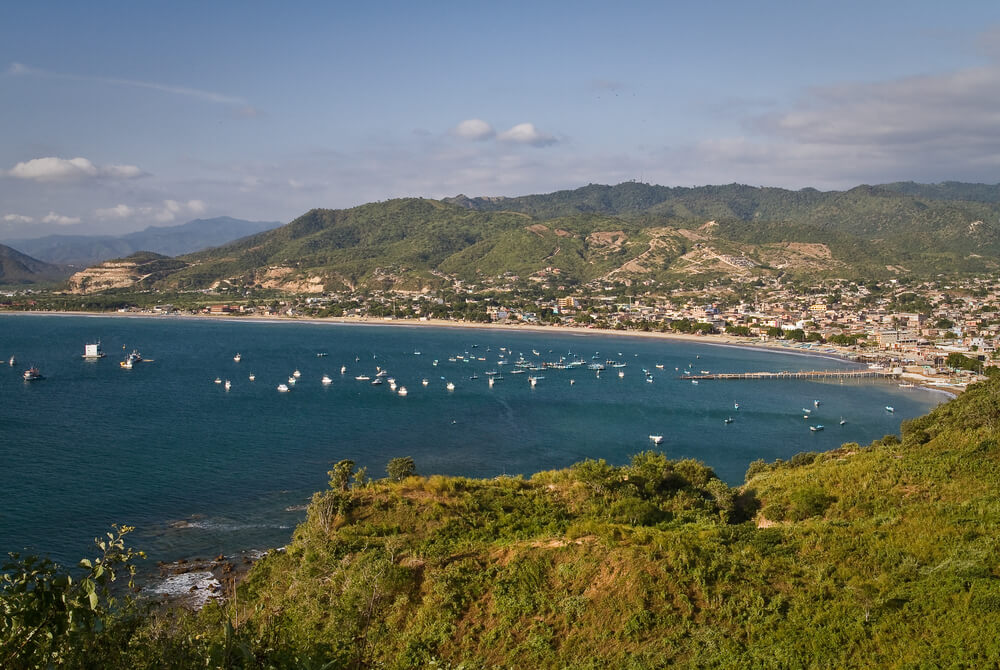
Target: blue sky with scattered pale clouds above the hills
column 115, row 116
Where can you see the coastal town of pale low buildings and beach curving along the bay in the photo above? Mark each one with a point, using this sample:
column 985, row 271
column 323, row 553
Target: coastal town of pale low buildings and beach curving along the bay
column 943, row 333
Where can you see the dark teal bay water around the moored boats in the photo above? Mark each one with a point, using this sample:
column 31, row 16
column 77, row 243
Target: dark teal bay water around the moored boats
column 202, row 471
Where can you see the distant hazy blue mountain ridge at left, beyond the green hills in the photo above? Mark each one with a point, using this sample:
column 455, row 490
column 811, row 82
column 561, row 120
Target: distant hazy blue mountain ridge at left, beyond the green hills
column 167, row 240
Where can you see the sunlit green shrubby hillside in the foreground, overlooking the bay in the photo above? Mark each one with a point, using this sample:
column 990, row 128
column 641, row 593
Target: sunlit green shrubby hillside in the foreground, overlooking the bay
column 881, row 555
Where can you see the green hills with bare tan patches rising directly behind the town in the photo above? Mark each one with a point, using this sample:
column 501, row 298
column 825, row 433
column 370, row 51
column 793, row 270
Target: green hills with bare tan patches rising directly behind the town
column 628, row 231
